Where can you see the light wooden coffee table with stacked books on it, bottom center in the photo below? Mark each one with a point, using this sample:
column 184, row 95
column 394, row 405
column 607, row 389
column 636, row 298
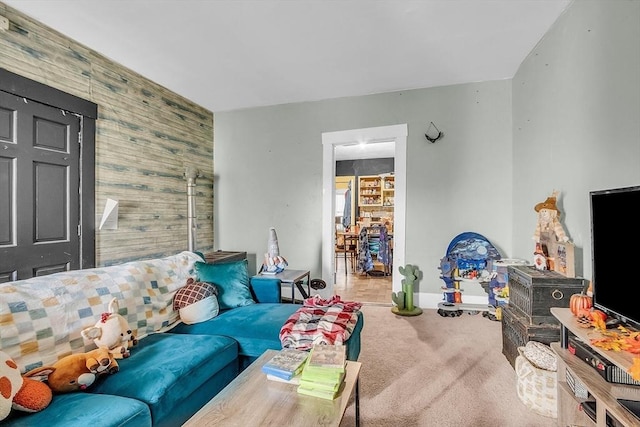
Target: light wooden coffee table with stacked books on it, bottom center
column 253, row 400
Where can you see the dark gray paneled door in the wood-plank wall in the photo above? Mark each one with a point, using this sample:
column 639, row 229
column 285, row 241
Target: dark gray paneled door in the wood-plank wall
column 39, row 189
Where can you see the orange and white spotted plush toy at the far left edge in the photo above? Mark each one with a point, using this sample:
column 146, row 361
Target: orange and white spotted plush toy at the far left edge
column 20, row 392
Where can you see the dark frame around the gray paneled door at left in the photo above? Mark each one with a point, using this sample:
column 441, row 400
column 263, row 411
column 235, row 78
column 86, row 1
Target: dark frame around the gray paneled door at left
column 30, row 89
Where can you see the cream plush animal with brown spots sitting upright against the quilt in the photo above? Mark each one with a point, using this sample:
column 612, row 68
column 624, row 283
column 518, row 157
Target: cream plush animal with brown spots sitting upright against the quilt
column 112, row 332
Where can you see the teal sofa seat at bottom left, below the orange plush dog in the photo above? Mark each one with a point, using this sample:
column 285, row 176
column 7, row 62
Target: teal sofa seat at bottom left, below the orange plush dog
column 83, row 409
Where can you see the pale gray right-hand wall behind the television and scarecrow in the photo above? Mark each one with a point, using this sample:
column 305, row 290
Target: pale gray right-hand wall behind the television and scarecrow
column 576, row 104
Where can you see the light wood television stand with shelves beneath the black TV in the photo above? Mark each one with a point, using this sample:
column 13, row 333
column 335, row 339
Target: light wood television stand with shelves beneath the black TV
column 606, row 395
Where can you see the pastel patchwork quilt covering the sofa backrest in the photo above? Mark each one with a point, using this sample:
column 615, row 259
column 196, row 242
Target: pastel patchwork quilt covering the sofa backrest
column 41, row 318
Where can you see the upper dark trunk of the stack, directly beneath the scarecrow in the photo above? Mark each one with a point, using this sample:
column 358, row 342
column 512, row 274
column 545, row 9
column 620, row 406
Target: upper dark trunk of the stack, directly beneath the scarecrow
column 533, row 292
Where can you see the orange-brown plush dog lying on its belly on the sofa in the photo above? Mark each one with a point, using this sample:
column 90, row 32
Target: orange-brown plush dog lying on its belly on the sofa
column 76, row 372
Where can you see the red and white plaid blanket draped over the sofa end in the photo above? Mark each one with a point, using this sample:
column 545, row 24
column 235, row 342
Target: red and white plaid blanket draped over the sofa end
column 320, row 321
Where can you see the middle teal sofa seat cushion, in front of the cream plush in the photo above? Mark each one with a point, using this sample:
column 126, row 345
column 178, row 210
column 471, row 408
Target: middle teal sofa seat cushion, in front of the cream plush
column 165, row 369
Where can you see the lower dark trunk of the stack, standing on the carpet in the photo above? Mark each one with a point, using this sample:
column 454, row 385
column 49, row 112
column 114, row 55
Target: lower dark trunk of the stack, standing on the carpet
column 517, row 331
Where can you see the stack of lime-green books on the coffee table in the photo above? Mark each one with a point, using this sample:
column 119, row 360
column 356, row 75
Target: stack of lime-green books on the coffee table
column 324, row 371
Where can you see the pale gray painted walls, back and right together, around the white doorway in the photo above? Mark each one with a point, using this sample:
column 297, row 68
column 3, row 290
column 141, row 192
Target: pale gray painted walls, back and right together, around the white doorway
column 568, row 120
